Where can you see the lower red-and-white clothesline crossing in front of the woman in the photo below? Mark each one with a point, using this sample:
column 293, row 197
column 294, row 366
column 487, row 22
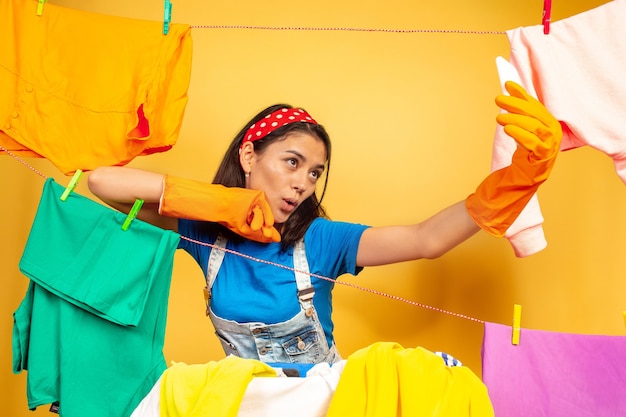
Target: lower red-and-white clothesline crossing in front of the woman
column 365, row 289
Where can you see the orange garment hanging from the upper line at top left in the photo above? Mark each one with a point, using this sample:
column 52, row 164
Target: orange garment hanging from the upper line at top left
column 83, row 89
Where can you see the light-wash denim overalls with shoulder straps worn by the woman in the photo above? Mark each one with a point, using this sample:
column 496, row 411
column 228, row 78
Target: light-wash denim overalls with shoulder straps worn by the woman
column 300, row 339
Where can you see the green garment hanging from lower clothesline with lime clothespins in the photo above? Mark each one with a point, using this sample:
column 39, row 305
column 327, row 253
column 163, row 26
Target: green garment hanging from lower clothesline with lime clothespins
column 91, row 328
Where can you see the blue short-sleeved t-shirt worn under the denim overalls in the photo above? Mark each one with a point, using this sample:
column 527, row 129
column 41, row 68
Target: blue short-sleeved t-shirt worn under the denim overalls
column 247, row 290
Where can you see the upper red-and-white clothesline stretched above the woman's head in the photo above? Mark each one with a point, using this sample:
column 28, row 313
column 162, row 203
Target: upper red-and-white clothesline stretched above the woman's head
column 351, row 29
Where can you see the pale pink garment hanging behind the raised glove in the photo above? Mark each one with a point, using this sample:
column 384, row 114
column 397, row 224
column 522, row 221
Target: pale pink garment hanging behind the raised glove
column 577, row 72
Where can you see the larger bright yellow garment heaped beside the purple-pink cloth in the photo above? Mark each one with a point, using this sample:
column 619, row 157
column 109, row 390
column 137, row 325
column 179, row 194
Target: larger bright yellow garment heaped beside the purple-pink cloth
column 386, row 380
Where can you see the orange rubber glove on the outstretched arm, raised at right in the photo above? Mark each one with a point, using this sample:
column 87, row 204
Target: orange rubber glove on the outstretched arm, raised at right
column 501, row 197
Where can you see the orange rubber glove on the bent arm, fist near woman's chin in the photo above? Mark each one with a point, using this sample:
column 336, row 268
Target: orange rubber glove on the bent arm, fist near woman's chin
column 241, row 210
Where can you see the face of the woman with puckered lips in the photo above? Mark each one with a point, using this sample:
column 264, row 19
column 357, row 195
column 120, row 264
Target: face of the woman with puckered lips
column 288, row 171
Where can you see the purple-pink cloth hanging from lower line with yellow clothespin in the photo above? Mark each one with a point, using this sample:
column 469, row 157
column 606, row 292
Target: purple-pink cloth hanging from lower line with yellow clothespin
column 554, row 374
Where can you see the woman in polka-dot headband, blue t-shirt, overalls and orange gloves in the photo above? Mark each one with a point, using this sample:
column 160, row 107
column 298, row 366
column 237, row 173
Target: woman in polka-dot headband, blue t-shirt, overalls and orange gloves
column 274, row 303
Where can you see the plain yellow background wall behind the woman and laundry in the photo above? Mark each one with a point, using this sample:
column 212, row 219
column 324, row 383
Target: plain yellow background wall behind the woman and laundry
column 412, row 119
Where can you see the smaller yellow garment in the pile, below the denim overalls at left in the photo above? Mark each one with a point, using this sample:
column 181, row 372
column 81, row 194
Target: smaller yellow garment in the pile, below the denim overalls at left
column 213, row 389
